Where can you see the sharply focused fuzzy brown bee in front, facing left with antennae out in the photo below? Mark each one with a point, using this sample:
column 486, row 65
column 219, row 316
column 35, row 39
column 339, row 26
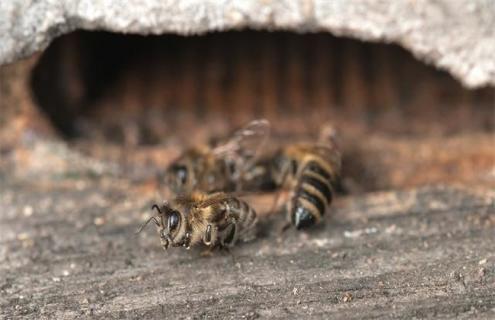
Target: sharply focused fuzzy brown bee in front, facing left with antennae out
column 217, row 220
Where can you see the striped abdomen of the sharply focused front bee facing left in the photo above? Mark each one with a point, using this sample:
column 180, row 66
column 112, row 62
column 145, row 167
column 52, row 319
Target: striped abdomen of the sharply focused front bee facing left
column 241, row 221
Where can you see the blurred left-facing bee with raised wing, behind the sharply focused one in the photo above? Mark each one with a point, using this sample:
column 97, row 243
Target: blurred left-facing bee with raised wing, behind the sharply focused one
column 224, row 167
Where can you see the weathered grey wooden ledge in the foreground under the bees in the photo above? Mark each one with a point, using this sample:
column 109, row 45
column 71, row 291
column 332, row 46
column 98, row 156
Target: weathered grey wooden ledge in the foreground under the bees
column 68, row 250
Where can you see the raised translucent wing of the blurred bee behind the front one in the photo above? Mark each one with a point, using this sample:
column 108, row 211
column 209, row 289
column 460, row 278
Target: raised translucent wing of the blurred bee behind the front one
column 245, row 143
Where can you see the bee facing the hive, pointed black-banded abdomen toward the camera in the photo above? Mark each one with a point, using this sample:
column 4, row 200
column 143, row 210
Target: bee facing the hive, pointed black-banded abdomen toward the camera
column 310, row 171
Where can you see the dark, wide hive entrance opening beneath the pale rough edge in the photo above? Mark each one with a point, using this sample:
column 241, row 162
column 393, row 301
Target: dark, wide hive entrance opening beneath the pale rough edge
column 135, row 90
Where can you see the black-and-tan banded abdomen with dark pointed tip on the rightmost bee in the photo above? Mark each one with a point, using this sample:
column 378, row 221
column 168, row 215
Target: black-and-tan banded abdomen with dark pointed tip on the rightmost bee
column 312, row 195
